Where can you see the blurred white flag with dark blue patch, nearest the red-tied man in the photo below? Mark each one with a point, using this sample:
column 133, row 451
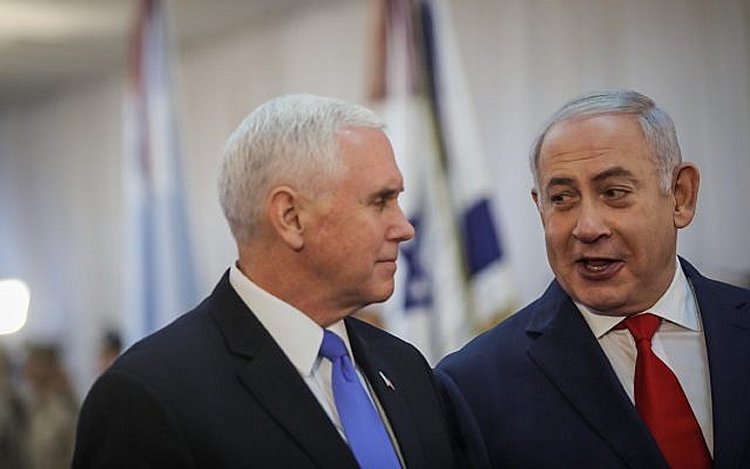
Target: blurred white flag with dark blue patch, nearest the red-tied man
column 492, row 292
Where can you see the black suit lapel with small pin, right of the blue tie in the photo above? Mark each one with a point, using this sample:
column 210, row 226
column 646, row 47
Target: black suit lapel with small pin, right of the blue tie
column 377, row 370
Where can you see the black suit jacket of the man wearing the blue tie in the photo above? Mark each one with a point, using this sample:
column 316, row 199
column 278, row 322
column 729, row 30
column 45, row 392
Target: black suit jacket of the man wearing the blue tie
column 214, row 390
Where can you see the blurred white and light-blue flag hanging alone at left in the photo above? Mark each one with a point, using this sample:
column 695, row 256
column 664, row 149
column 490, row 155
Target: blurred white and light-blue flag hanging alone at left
column 159, row 273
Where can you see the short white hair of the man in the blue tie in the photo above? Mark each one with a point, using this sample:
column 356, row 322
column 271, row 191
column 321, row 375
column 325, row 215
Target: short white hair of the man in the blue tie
column 287, row 140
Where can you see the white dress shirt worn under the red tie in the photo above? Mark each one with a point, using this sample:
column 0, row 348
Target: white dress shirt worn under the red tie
column 679, row 342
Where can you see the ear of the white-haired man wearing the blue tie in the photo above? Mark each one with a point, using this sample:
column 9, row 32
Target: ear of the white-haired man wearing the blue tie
column 284, row 206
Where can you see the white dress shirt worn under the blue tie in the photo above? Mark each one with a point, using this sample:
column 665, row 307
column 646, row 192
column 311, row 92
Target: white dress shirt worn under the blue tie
column 299, row 337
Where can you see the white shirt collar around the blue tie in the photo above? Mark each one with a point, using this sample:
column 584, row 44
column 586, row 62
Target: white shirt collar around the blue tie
column 298, row 336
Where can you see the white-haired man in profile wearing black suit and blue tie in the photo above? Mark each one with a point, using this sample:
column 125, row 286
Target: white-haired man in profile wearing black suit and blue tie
column 265, row 372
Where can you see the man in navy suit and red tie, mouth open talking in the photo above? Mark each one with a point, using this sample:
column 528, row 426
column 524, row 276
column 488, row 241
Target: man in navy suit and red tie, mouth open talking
column 631, row 358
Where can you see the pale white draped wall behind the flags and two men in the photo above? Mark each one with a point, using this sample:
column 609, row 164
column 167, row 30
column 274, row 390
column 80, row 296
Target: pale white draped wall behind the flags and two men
column 61, row 199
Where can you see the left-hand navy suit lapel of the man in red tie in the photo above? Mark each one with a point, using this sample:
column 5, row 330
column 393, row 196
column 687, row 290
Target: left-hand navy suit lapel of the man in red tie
column 567, row 352
